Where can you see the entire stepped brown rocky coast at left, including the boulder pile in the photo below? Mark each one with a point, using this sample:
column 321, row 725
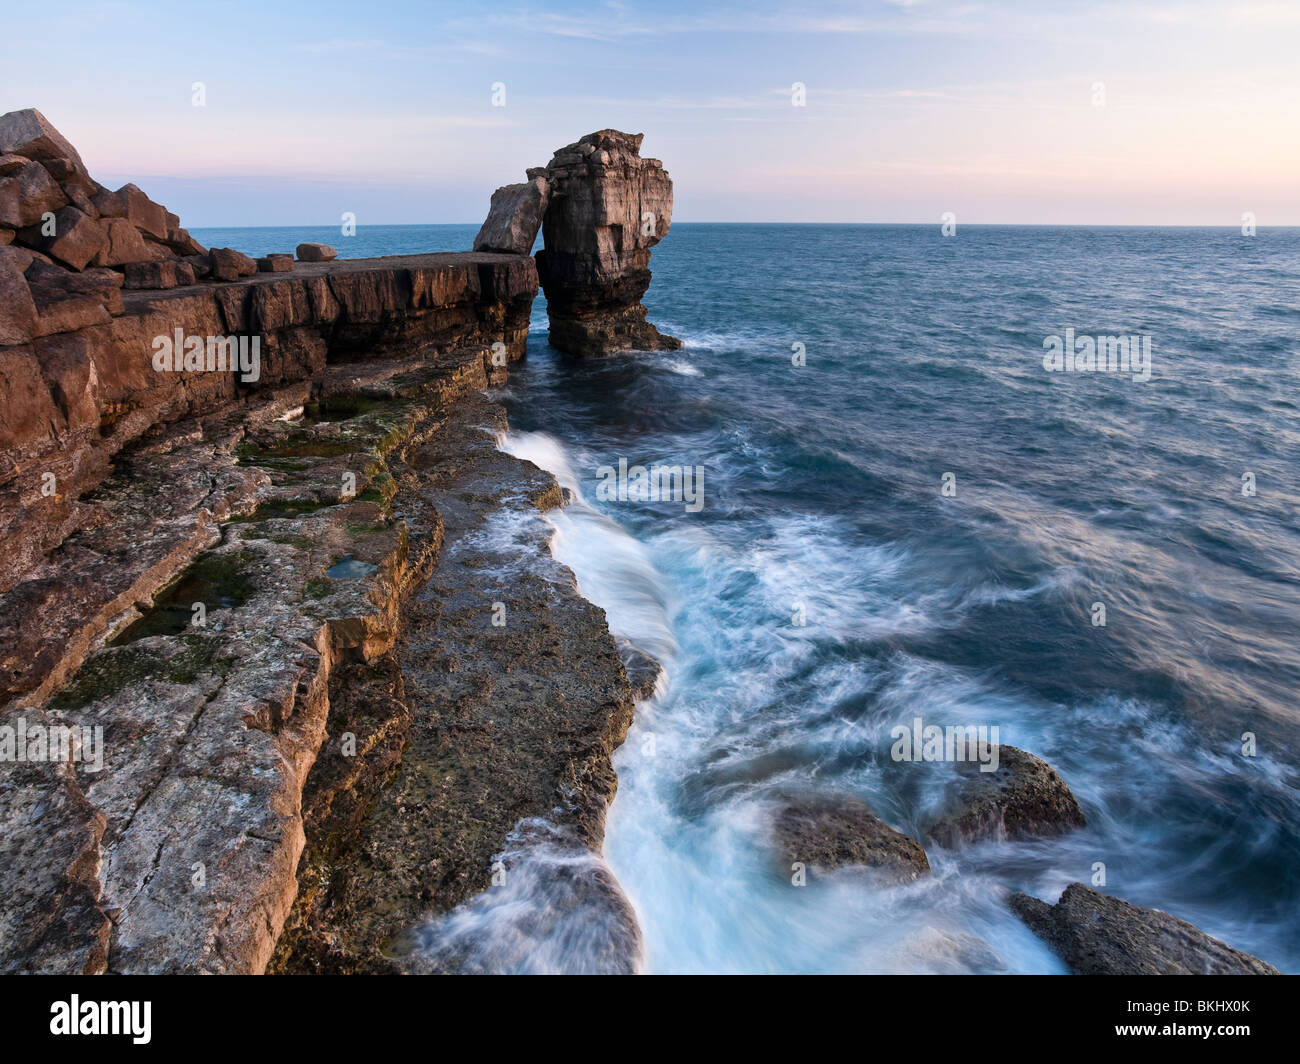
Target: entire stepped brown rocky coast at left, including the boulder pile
column 252, row 514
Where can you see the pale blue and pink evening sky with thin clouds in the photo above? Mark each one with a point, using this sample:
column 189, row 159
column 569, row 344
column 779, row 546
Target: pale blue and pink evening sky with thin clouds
column 1173, row 113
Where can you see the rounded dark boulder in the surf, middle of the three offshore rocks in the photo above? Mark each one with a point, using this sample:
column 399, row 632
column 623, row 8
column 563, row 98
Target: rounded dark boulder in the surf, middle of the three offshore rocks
column 1024, row 798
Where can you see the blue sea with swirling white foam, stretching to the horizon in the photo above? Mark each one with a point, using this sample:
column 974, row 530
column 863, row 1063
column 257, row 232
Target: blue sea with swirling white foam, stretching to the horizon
column 824, row 503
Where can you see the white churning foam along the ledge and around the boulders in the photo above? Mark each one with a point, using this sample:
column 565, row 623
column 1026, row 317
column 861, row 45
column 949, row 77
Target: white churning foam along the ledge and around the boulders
column 757, row 703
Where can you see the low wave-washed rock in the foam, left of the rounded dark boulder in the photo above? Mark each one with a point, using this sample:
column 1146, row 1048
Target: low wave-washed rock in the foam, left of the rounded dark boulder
column 830, row 832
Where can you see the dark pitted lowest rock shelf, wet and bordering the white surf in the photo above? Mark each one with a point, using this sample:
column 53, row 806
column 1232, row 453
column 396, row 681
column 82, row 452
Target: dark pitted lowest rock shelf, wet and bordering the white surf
column 554, row 674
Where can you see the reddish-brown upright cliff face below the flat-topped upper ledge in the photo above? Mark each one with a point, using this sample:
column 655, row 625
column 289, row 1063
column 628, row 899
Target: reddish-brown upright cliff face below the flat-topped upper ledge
column 77, row 399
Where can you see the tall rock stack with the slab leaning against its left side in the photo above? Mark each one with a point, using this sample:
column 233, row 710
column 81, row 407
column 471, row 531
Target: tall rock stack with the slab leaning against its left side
column 601, row 207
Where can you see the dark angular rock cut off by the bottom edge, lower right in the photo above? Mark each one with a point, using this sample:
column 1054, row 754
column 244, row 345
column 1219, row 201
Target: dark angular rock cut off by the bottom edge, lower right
column 1100, row 936
